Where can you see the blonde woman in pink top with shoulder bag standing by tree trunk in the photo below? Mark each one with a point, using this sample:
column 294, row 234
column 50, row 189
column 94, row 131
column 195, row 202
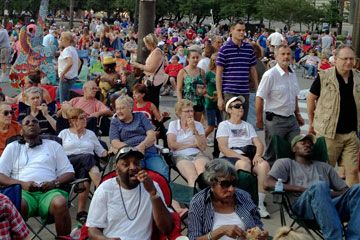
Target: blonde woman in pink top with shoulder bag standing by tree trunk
column 153, row 68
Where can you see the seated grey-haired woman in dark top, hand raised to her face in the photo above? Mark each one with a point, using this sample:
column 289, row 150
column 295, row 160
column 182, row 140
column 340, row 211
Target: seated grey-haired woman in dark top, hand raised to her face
column 47, row 118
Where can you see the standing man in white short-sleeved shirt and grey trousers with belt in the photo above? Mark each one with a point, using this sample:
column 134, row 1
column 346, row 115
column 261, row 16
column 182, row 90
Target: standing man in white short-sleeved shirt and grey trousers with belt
column 279, row 89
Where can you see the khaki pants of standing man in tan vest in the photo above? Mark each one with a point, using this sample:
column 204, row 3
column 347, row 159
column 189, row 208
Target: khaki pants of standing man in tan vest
column 344, row 150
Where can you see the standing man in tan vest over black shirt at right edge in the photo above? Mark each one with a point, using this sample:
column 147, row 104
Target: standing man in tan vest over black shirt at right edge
column 336, row 115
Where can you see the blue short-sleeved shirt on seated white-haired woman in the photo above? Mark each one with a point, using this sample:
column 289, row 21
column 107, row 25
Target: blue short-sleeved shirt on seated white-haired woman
column 132, row 133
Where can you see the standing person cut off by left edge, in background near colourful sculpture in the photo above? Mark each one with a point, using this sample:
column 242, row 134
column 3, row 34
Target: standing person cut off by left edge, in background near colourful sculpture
column 5, row 52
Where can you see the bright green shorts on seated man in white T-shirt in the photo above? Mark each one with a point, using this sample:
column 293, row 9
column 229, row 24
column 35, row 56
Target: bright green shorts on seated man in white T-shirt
column 39, row 202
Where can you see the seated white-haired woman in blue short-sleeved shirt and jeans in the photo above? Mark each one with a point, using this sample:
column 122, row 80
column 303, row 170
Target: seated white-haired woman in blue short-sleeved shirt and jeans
column 134, row 129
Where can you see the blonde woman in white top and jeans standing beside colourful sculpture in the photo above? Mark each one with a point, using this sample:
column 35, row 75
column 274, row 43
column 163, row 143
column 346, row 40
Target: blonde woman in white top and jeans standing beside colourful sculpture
column 68, row 67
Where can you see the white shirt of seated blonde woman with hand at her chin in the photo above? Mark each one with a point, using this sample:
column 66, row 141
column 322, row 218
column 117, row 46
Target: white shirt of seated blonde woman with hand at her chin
column 186, row 137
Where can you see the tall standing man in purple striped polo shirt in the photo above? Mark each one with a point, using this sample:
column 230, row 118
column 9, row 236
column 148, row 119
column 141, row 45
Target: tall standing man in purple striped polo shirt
column 236, row 59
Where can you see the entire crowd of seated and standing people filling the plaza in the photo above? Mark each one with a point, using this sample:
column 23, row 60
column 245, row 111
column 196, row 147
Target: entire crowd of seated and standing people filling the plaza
column 228, row 82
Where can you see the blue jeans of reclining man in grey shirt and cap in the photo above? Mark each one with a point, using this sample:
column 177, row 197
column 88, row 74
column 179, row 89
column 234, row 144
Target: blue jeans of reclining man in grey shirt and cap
column 315, row 203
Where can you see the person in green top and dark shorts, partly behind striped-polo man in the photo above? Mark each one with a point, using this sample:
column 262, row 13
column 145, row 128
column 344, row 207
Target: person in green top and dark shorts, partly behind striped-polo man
column 213, row 114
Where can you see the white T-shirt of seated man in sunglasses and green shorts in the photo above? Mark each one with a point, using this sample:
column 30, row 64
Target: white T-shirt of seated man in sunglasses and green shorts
column 43, row 163
